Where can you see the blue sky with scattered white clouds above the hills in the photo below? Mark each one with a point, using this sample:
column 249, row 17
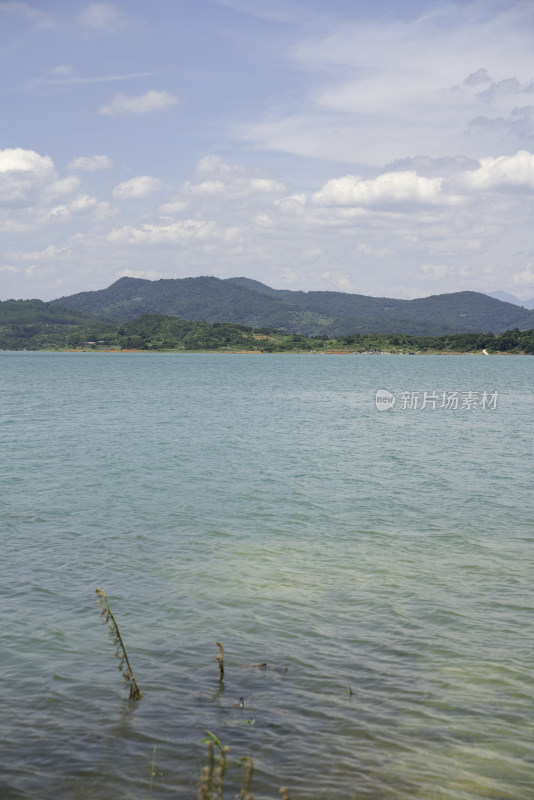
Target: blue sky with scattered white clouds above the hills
column 381, row 148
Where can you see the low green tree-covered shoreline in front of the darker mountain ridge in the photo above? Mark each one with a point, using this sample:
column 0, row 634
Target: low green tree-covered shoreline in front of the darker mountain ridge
column 35, row 325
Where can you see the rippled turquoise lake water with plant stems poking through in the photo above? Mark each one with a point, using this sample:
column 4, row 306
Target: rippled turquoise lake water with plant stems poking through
column 381, row 563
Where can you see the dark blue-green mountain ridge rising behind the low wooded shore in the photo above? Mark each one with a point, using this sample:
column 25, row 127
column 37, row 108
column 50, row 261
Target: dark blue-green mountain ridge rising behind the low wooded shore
column 248, row 302
